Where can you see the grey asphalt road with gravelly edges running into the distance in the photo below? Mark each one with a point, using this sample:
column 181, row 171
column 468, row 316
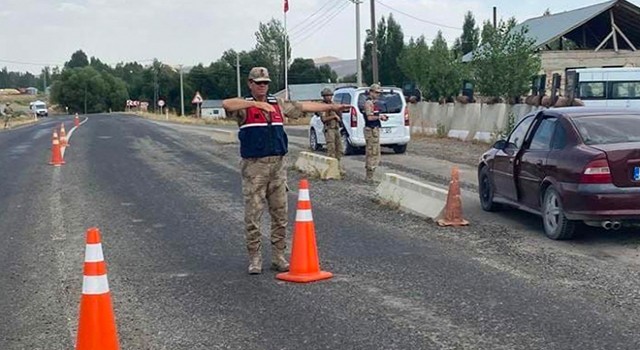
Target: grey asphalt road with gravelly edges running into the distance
column 169, row 205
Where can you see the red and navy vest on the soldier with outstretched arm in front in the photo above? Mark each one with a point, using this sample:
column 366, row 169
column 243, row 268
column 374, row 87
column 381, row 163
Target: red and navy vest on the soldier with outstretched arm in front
column 261, row 136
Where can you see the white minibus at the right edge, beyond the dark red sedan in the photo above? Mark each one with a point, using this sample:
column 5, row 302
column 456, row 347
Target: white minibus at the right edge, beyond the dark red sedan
column 609, row 87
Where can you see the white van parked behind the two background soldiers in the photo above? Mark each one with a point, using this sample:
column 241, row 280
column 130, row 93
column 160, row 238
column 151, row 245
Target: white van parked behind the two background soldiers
column 395, row 132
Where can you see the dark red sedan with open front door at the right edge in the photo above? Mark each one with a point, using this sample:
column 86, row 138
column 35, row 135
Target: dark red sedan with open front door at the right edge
column 569, row 165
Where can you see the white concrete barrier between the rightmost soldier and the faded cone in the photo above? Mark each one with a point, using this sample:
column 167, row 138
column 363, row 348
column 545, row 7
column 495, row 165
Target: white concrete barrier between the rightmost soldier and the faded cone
column 412, row 196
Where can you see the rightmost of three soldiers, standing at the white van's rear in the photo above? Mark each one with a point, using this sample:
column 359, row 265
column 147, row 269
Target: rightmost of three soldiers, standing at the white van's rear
column 372, row 130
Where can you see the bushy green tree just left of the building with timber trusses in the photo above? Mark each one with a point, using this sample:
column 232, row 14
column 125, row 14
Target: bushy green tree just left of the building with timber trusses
column 506, row 62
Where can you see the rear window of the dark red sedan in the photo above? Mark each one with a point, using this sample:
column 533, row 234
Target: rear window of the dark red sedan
column 600, row 130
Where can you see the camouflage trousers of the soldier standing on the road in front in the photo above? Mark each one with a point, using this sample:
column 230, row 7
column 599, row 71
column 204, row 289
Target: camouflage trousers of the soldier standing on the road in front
column 264, row 181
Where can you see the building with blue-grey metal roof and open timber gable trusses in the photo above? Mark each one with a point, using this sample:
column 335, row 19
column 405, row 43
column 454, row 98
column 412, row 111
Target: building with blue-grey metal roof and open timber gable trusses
column 601, row 35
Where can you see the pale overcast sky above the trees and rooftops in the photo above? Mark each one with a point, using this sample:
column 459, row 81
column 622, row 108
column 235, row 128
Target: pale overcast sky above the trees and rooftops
column 35, row 33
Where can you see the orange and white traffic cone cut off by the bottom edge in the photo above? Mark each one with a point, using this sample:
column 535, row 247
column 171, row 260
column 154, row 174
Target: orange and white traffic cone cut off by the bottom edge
column 97, row 325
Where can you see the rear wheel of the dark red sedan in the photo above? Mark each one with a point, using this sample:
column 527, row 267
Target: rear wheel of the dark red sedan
column 556, row 225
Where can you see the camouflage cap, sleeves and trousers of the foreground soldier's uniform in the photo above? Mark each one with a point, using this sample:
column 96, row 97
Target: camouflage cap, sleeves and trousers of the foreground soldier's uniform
column 264, row 180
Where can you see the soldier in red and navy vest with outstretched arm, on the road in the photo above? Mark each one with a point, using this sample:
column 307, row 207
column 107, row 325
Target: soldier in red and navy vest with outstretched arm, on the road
column 263, row 145
